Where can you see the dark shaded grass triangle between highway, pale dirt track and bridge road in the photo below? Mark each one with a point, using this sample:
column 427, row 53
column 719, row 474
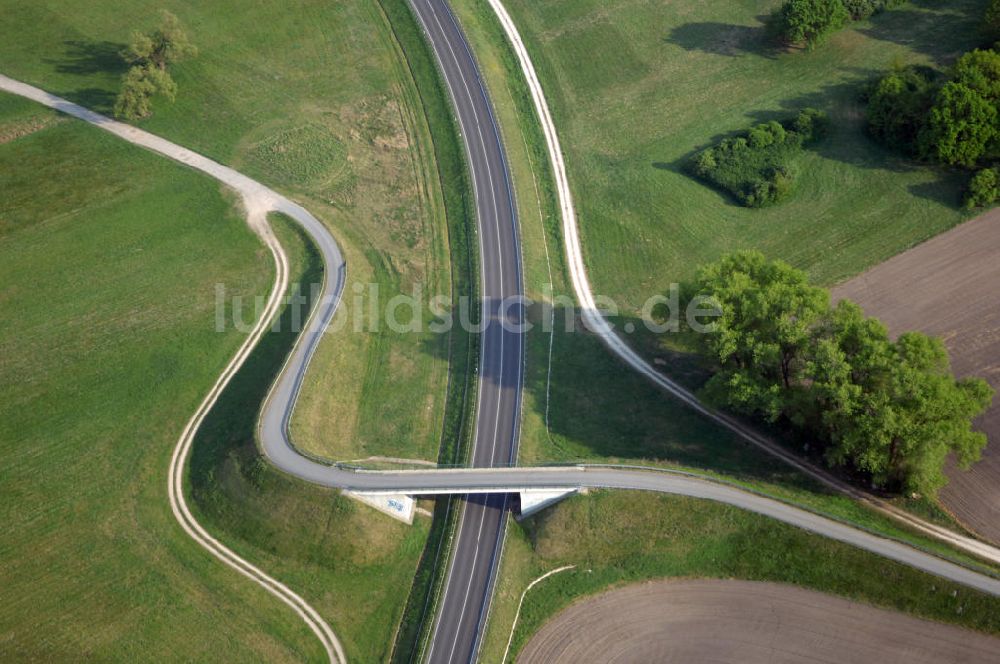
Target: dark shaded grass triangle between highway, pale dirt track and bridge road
column 599, row 408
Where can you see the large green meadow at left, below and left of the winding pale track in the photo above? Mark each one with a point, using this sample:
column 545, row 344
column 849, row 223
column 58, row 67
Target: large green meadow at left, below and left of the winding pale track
column 111, row 273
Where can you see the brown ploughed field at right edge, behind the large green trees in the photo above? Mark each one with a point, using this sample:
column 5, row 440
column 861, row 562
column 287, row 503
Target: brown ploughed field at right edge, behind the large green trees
column 948, row 287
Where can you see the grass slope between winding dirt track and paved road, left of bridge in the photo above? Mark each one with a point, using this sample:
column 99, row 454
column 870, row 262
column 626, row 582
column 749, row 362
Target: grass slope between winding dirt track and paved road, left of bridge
column 346, row 560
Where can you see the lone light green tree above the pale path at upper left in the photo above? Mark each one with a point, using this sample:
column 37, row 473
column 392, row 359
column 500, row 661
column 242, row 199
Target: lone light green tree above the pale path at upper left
column 149, row 56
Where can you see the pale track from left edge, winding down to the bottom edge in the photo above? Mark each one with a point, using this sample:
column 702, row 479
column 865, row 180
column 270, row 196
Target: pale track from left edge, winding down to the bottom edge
column 258, row 201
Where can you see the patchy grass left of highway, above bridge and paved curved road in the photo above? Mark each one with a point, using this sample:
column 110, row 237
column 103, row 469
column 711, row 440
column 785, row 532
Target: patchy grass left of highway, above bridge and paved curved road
column 310, row 97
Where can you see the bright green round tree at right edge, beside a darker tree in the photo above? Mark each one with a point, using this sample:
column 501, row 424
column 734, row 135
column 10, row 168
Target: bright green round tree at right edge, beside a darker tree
column 961, row 126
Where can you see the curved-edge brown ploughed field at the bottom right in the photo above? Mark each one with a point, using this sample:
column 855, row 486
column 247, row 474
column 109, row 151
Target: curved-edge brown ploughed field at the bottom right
column 744, row 622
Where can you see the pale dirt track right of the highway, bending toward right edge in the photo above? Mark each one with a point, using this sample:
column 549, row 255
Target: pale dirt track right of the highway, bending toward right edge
column 599, row 326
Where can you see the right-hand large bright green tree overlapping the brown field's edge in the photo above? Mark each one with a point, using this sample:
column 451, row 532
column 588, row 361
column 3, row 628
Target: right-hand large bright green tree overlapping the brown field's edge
column 893, row 409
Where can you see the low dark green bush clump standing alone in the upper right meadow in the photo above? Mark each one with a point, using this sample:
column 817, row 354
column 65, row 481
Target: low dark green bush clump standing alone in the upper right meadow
column 756, row 167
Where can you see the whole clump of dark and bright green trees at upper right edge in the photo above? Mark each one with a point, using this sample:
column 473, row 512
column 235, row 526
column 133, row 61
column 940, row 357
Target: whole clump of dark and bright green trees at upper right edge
column 954, row 121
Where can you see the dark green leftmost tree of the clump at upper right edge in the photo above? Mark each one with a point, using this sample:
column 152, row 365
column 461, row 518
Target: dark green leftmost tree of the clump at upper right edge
column 898, row 105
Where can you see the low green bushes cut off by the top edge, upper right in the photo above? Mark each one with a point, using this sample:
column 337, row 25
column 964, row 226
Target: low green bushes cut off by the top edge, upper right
column 810, row 22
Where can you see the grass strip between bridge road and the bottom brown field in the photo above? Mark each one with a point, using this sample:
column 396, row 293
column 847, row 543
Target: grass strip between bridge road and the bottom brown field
column 622, row 537
